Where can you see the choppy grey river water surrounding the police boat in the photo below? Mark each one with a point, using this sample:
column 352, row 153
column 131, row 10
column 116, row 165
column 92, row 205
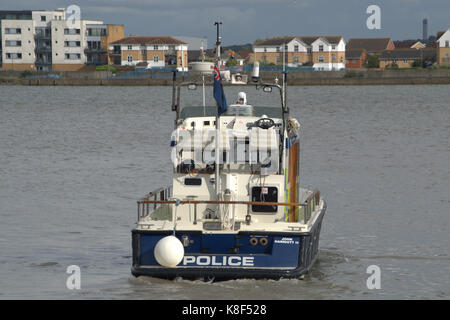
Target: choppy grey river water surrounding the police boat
column 74, row 160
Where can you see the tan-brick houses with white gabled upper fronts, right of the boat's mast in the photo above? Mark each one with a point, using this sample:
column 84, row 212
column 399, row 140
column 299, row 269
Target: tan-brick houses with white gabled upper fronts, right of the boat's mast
column 321, row 52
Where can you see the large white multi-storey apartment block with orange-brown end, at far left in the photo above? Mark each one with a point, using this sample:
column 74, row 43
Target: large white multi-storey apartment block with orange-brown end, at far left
column 45, row 40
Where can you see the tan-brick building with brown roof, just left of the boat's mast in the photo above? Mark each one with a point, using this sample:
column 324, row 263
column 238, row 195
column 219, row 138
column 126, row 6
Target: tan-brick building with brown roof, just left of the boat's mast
column 156, row 52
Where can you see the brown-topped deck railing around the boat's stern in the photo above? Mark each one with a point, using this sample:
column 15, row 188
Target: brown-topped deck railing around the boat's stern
column 162, row 196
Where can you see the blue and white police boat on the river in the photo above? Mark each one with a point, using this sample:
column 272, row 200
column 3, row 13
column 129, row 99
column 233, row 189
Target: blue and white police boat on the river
column 236, row 213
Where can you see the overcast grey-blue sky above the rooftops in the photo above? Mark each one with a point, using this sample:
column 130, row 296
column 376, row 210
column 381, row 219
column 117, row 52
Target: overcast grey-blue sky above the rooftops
column 247, row 20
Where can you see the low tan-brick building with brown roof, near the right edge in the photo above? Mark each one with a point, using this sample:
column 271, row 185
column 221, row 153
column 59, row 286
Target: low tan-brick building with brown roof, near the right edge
column 405, row 58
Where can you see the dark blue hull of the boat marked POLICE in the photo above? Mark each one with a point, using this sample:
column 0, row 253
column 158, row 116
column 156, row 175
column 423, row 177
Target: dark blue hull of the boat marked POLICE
column 248, row 254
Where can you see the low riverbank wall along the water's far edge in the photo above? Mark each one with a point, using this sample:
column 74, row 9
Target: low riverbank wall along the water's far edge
column 295, row 78
